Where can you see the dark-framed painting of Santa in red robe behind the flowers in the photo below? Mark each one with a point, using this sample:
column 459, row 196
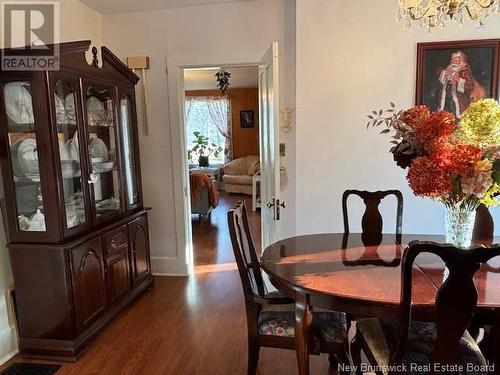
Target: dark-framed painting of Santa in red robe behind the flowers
column 451, row 75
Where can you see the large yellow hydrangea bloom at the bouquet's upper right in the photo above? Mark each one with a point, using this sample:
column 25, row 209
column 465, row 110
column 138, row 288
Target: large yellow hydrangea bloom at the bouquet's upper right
column 480, row 124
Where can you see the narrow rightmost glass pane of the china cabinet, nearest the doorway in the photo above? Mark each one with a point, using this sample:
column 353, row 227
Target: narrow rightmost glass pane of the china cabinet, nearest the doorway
column 127, row 131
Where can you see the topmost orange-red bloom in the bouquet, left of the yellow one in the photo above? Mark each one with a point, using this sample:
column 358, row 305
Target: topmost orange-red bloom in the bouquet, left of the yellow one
column 439, row 127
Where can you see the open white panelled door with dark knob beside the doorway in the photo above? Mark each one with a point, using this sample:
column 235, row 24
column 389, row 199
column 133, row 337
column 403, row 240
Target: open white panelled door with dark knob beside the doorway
column 269, row 147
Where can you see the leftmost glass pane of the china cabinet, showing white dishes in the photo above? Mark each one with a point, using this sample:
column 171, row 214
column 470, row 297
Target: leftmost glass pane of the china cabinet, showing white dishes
column 24, row 156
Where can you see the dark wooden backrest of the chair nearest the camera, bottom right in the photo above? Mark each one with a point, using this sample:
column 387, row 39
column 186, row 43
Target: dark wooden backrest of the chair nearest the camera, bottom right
column 456, row 299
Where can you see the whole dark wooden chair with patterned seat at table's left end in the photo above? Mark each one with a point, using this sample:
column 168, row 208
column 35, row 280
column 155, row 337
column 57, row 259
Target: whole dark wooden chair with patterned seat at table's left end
column 271, row 316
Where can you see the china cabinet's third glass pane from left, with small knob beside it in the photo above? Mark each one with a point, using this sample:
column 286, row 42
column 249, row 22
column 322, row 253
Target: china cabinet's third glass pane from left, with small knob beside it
column 102, row 150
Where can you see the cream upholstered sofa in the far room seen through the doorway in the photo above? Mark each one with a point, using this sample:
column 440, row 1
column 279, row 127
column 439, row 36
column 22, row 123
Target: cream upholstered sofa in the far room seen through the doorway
column 238, row 174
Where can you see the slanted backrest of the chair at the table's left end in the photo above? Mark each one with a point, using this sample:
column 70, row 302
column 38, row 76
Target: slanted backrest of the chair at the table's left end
column 244, row 251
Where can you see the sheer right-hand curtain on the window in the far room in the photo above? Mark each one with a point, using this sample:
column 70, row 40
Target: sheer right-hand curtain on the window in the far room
column 219, row 110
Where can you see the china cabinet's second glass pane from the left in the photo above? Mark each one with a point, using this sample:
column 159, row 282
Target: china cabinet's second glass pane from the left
column 65, row 100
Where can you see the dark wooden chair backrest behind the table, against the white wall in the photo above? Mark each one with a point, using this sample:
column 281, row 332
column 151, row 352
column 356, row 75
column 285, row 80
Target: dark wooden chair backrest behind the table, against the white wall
column 372, row 222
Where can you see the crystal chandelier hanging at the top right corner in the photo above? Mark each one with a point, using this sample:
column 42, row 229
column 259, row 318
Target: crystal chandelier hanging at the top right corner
column 435, row 13
